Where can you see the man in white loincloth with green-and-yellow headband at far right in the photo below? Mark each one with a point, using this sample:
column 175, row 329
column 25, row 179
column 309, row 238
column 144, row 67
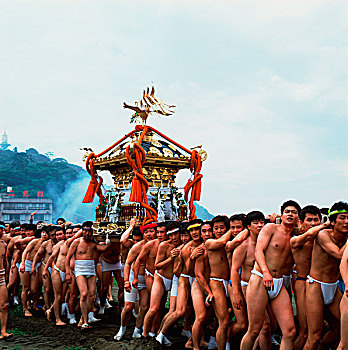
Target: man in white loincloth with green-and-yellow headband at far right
column 321, row 289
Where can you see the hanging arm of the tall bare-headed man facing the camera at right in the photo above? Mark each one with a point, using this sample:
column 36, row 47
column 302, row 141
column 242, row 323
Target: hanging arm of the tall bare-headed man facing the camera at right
column 262, row 243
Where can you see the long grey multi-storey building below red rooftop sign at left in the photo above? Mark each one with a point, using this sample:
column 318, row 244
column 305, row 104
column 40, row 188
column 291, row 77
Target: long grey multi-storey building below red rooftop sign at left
column 18, row 208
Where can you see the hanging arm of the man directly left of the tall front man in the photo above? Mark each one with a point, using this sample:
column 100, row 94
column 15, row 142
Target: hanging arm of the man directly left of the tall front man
column 237, row 261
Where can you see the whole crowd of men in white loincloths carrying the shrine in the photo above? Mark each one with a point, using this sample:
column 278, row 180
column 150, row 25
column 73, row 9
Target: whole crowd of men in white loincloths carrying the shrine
column 243, row 277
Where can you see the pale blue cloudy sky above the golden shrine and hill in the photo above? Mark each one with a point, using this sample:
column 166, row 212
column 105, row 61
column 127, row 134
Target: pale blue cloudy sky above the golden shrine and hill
column 262, row 85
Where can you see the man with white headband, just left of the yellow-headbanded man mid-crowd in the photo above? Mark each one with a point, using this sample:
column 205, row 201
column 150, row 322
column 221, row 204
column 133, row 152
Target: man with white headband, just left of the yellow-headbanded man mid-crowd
column 162, row 283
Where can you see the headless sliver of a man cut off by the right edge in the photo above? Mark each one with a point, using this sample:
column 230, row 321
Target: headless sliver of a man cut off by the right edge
column 344, row 302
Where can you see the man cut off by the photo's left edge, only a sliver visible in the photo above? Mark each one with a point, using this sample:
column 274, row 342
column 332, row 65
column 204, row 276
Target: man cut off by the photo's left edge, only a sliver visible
column 3, row 289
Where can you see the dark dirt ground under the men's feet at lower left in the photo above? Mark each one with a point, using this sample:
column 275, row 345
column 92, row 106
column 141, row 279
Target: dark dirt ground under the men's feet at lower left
column 37, row 333
